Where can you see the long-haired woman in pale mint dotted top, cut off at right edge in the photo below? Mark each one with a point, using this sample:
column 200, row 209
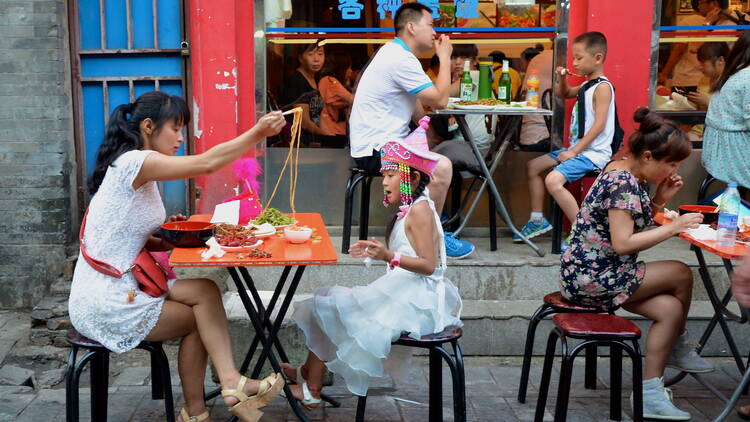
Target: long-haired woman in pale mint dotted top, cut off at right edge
column 726, row 141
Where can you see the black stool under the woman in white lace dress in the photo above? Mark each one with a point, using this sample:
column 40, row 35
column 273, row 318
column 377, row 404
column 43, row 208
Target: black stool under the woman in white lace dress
column 98, row 356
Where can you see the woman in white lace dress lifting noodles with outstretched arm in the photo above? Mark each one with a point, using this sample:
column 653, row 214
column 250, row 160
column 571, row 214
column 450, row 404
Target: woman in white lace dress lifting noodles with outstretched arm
column 137, row 152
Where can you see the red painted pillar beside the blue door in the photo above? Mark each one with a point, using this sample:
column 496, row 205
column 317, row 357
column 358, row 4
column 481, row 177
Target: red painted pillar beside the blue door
column 223, row 84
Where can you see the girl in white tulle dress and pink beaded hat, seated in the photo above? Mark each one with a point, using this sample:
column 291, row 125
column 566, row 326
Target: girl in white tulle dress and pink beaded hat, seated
column 350, row 330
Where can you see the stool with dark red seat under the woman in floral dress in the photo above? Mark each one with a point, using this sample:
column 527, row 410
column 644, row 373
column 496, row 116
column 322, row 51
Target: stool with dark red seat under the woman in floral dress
column 554, row 303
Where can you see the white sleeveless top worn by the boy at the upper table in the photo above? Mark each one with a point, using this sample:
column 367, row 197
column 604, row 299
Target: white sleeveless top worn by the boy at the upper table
column 599, row 150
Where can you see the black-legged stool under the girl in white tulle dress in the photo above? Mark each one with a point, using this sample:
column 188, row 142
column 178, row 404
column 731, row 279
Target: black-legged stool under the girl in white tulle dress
column 434, row 342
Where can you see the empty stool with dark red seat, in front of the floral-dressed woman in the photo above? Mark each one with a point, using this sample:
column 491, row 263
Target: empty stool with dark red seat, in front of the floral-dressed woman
column 598, row 329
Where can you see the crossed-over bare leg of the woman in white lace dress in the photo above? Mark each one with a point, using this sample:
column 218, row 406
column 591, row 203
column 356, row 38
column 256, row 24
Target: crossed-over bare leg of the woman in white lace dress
column 210, row 319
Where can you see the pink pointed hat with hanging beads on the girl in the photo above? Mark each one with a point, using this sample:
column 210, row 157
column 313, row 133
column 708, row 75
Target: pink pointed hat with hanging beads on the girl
column 411, row 153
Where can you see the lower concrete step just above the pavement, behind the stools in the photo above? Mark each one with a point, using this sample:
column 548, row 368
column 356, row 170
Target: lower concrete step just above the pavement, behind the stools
column 491, row 328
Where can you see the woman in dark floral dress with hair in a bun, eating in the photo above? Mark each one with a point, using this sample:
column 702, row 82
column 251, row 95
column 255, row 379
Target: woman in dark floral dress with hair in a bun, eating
column 601, row 268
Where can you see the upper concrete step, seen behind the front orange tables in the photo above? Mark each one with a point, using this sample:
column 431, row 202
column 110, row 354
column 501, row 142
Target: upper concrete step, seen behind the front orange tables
column 513, row 272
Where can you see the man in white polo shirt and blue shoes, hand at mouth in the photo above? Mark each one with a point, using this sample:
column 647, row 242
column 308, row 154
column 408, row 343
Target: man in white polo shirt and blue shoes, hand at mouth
column 392, row 87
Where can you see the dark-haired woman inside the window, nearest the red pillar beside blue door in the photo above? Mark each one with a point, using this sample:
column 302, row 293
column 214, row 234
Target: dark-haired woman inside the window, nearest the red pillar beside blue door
column 304, row 79
